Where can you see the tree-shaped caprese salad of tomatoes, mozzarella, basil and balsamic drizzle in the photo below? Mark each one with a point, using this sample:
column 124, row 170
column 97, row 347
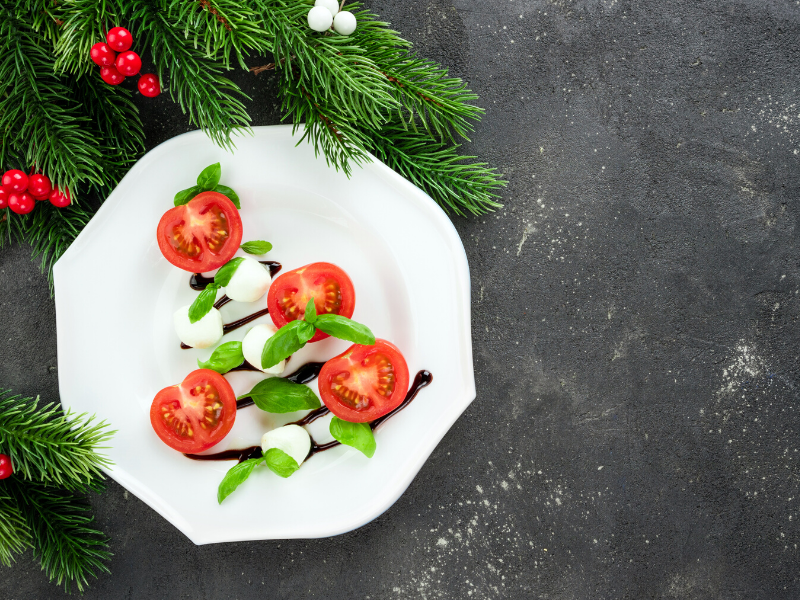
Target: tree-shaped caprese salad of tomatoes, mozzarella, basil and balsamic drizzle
column 362, row 387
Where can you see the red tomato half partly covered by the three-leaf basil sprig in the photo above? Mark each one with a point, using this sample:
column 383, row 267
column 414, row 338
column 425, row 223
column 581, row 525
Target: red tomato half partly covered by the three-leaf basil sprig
column 330, row 287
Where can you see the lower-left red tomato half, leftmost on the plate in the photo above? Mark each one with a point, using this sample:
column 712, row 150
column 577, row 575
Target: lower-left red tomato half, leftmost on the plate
column 195, row 415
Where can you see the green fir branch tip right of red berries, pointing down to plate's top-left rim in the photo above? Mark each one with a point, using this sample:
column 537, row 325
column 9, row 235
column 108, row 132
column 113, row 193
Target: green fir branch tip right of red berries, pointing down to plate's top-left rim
column 194, row 81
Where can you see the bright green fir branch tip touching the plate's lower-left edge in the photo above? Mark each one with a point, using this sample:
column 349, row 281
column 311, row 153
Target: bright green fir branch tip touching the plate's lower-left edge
column 45, row 444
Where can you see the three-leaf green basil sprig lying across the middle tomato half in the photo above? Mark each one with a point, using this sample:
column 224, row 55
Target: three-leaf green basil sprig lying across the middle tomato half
column 294, row 335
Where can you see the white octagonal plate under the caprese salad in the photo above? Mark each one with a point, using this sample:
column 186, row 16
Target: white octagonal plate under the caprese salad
column 115, row 295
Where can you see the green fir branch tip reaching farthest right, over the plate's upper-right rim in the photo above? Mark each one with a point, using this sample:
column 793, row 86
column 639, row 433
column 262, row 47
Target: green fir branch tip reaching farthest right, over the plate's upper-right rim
column 457, row 185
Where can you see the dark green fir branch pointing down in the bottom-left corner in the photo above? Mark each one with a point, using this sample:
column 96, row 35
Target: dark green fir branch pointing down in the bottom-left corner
column 60, row 521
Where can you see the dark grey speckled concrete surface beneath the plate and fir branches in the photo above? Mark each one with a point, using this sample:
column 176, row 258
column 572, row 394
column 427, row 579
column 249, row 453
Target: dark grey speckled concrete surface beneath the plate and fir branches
column 635, row 326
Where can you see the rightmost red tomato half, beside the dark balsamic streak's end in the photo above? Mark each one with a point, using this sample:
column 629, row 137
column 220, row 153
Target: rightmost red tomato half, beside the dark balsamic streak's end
column 364, row 382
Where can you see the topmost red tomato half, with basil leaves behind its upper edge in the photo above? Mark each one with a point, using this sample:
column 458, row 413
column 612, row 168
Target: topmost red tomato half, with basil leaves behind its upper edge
column 202, row 235
